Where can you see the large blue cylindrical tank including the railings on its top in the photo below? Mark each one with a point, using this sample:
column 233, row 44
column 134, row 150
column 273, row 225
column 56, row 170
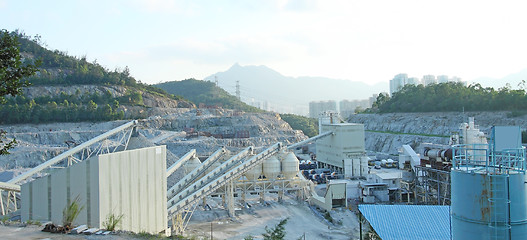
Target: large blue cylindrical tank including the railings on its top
column 488, row 193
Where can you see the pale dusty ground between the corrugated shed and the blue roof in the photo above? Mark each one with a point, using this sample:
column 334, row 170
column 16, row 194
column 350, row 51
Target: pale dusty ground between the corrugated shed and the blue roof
column 302, row 220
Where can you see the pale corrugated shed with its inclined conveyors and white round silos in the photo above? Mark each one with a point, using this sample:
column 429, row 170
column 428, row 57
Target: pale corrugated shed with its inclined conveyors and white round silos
column 110, row 179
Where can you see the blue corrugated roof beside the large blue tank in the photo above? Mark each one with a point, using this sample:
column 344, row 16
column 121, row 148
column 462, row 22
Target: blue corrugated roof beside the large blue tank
column 408, row 221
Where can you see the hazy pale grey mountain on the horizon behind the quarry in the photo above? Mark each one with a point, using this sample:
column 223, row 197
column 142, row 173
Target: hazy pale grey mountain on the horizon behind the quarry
column 270, row 90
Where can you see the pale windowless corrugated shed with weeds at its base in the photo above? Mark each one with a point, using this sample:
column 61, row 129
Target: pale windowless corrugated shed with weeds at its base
column 131, row 183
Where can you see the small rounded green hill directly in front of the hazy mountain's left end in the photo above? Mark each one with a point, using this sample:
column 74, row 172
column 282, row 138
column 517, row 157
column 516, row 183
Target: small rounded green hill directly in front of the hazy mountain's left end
column 205, row 93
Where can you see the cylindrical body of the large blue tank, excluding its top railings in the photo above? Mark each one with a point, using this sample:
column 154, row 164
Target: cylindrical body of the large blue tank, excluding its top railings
column 481, row 205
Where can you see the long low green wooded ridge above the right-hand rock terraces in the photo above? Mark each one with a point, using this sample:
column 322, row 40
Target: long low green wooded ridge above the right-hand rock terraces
column 452, row 97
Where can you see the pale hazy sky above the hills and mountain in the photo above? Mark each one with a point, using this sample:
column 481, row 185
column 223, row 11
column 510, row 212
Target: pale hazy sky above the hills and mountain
column 370, row 41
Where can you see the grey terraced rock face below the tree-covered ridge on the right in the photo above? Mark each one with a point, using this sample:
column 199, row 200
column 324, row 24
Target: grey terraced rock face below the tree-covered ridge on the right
column 389, row 131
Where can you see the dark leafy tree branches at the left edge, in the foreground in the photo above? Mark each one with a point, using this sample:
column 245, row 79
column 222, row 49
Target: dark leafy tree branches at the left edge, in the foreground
column 12, row 72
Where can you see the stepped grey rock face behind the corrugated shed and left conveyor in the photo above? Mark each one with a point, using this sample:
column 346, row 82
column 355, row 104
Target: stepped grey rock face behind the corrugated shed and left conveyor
column 180, row 130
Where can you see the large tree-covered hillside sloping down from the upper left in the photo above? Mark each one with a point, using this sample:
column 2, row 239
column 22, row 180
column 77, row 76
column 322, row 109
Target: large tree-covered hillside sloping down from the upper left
column 70, row 89
